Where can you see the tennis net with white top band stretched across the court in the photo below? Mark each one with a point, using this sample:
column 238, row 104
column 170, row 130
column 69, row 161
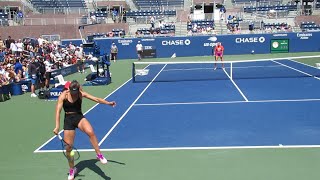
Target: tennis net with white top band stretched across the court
column 205, row 70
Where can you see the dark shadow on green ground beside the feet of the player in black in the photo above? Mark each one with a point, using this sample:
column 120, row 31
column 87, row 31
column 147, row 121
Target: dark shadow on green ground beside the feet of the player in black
column 91, row 164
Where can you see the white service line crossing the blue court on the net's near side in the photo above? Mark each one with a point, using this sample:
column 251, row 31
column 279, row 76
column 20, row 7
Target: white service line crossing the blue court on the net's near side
column 229, row 102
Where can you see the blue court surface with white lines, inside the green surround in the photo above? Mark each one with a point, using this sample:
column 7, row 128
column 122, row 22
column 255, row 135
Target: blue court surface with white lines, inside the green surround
column 265, row 104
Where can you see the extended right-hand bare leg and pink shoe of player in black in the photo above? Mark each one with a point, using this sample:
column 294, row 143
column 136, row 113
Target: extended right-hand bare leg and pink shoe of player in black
column 85, row 126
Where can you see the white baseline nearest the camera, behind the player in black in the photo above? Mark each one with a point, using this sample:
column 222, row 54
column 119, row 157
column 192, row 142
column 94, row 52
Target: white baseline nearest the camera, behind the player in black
column 193, row 148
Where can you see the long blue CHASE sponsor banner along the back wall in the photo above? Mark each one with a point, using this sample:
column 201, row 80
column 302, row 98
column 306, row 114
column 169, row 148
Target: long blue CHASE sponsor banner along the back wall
column 203, row 45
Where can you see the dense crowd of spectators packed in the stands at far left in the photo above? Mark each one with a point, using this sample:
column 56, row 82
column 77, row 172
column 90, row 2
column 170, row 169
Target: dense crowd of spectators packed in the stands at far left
column 34, row 59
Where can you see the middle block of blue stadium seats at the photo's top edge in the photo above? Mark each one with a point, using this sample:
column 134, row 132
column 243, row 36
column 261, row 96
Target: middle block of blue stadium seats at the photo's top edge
column 156, row 4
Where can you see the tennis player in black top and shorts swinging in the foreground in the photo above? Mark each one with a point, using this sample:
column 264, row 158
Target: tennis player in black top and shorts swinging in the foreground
column 71, row 101
